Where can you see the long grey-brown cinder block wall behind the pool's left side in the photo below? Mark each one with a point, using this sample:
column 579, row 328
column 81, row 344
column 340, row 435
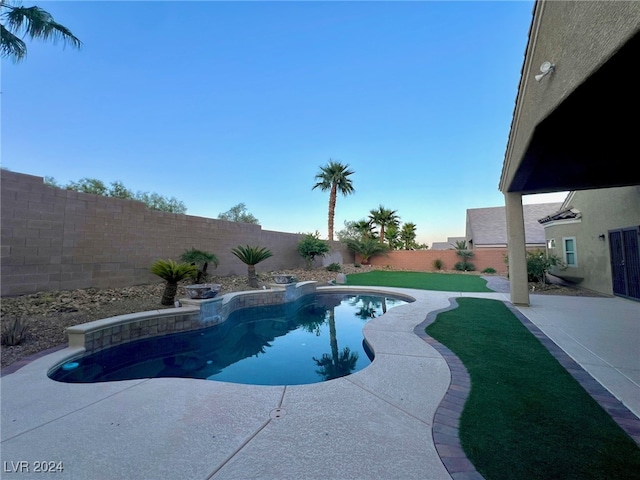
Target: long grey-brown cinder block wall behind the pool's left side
column 56, row 239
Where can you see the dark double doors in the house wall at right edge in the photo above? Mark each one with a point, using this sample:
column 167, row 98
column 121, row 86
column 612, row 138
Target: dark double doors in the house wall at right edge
column 625, row 261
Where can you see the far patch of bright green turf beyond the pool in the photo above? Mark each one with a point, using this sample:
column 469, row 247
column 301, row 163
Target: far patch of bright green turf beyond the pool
column 443, row 282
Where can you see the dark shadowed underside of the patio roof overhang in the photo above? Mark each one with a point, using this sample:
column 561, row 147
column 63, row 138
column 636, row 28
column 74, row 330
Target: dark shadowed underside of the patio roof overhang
column 591, row 139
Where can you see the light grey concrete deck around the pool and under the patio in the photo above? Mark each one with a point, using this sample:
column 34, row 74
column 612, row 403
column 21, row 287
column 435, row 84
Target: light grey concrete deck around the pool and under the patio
column 378, row 423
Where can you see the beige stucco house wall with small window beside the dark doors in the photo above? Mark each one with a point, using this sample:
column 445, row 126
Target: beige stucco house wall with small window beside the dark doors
column 602, row 210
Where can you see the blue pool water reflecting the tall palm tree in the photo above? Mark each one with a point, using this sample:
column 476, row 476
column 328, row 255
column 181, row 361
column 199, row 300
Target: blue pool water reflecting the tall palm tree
column 316, row 338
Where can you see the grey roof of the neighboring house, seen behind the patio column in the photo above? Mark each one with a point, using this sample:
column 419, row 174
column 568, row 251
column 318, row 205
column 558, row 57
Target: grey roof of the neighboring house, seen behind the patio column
column 488, row 226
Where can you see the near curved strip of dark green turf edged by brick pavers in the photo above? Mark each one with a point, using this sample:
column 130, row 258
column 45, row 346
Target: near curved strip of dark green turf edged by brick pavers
column 526, row 417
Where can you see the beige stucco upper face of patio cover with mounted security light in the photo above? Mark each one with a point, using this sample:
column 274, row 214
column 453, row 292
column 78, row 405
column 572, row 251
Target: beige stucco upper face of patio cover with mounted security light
column 578, row 37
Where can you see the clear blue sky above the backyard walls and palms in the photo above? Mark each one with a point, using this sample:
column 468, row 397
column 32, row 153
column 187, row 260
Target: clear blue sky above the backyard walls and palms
column 218, row 103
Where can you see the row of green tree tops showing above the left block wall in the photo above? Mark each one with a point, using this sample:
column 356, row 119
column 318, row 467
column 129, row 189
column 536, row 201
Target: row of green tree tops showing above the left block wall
column 116, row 189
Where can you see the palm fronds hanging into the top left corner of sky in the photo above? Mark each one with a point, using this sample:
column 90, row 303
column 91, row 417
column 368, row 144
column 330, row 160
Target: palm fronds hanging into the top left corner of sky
column 31, row 22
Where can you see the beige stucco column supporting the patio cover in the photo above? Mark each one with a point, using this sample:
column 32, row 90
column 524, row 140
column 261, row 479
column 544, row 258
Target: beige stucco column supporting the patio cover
column 517, row 250
